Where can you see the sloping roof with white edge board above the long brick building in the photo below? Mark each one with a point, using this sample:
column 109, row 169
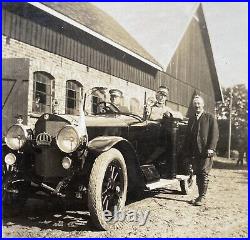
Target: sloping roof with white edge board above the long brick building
column 100, row 24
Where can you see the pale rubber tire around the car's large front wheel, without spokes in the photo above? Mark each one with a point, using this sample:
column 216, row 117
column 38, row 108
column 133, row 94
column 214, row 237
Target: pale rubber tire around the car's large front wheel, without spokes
column 95, row 187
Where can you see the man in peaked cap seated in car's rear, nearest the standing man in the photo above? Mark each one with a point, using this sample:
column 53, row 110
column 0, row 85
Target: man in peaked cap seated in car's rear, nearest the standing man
column 159, row 109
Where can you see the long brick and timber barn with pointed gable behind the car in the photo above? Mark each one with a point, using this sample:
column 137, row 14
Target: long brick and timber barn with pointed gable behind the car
column 61, row 51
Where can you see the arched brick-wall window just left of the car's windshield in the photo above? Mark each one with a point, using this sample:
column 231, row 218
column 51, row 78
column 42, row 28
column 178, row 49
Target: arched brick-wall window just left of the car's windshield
column 74, row 93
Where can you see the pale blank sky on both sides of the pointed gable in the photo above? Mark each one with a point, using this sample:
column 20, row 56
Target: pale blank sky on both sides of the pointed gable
column 158, row 27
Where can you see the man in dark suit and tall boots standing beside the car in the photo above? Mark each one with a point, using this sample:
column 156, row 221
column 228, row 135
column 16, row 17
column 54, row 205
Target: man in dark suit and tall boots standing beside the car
column 201, row 141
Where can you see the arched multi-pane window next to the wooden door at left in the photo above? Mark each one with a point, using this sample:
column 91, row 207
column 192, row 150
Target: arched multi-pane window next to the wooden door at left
column 43, row 92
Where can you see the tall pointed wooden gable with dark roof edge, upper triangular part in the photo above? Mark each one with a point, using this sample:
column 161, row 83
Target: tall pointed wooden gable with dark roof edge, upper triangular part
column 193, row 62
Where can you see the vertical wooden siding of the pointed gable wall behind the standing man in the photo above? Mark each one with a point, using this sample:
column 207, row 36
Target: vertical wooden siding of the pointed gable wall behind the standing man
column 190, row 69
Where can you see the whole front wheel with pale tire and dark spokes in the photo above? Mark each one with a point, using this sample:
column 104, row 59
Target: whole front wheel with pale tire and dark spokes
column 107, row 189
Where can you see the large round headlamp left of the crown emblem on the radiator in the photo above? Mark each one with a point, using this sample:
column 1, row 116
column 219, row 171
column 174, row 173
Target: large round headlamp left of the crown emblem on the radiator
column 16, row 136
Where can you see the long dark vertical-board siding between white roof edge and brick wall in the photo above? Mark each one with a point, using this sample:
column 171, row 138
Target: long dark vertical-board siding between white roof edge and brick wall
column 65, row 40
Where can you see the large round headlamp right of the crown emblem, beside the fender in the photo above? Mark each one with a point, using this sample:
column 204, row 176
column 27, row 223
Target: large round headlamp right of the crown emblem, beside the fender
column 68, row 139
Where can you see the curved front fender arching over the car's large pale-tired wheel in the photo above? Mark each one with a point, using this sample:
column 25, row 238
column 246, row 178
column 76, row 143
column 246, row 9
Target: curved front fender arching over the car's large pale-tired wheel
column 102, row 144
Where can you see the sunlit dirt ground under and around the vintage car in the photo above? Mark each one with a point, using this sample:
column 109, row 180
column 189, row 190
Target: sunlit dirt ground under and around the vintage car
column 225, row 213
